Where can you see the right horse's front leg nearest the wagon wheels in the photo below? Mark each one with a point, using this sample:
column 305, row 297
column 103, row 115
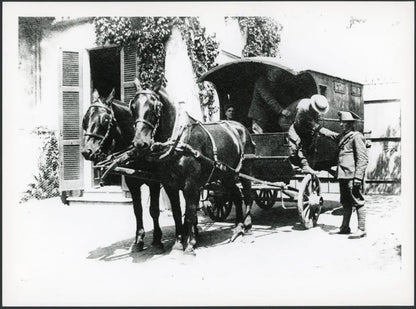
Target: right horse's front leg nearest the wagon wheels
column 191, row 194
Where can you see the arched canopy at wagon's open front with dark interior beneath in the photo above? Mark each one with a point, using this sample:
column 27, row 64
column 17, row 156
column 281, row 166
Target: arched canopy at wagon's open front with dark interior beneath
column 234, row 82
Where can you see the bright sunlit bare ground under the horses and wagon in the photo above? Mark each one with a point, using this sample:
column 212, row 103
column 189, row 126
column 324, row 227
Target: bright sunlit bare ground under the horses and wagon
column 74, row 255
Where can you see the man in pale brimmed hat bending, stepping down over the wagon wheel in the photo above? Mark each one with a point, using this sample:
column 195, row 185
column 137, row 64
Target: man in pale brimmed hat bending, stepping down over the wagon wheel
column 304, row 129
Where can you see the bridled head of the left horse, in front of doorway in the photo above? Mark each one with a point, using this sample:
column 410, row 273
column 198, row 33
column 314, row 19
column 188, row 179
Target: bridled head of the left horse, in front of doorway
column 99, row 124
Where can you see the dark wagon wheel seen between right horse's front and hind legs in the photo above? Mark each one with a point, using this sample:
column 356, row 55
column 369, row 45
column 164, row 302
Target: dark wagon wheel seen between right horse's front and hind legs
column 217, row 205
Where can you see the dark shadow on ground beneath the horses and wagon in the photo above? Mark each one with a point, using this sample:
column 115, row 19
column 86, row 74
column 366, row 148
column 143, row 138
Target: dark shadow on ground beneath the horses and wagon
column 211, row 234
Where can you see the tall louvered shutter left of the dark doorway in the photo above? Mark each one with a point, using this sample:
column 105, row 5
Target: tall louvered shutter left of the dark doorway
column 71, row 176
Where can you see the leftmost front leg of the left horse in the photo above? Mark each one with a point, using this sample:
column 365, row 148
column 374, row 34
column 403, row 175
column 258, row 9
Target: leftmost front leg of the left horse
column 134, row 187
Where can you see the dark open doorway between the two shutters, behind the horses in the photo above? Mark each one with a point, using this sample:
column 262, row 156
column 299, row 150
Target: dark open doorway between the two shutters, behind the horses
column 105, row 75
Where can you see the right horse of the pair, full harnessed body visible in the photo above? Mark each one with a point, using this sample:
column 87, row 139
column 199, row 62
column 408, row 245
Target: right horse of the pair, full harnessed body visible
column 158, row 123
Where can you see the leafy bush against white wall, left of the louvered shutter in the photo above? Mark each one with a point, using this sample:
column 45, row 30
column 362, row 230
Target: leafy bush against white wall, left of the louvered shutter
column 46, row 182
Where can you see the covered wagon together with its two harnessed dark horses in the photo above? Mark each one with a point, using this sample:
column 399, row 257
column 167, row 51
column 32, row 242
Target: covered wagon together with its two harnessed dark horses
column 184, row 154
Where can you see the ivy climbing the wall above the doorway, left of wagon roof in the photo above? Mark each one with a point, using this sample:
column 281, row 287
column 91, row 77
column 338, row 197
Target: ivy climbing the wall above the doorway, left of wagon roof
column 149, row 35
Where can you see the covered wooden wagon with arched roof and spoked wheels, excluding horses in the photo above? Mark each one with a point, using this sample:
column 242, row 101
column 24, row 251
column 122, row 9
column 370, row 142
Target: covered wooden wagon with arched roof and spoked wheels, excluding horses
column 234, row 83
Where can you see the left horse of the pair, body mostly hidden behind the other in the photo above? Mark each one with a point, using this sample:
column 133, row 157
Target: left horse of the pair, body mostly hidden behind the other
column 109, row 128
